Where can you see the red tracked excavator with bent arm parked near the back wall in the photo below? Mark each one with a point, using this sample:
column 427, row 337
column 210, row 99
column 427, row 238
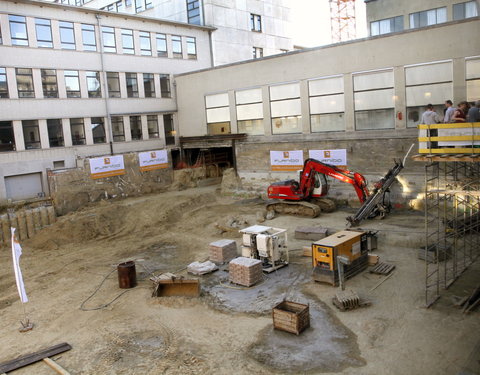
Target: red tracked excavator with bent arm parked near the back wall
column 306, row 198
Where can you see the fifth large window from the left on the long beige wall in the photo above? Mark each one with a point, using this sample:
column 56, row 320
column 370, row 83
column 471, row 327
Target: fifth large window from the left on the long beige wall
column 374, row 100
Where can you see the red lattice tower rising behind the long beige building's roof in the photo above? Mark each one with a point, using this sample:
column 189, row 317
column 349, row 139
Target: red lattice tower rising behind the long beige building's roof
column 342, row 19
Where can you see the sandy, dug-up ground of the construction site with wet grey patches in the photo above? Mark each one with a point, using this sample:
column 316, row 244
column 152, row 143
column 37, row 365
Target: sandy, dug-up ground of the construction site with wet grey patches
column 225, row 331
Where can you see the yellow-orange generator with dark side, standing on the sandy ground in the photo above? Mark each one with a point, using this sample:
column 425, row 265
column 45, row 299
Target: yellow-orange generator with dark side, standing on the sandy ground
column 345, row 251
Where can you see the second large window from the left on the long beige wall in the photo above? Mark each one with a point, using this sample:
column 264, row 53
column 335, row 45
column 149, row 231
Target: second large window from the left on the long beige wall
column 249, row 108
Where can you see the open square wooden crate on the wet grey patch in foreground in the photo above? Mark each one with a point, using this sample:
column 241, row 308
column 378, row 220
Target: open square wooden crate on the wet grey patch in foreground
column 291, row 317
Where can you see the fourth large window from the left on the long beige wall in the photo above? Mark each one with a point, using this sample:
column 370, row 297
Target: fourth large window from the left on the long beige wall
column 327, row 104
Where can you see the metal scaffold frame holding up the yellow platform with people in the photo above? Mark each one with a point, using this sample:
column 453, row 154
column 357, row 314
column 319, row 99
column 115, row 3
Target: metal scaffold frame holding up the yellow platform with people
column 452, row 223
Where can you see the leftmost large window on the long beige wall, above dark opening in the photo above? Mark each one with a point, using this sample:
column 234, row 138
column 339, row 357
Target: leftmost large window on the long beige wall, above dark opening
column 218, row 113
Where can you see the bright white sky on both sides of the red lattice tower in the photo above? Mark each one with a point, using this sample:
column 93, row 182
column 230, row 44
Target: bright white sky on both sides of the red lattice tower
column 311, row 22
